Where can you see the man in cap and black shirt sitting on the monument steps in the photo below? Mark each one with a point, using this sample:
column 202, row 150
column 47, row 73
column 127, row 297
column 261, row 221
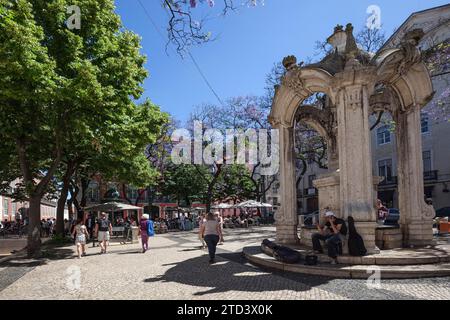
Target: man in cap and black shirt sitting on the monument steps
column 331, row 233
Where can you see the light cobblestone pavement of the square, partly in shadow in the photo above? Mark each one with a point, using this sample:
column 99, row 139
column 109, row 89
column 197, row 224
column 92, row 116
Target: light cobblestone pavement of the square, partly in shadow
column 176, row 268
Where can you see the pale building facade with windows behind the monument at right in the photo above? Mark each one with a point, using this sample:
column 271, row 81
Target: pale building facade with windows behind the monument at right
column 435, row 125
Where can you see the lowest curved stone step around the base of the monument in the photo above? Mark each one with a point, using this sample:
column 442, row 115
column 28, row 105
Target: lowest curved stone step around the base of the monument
column 255, row 256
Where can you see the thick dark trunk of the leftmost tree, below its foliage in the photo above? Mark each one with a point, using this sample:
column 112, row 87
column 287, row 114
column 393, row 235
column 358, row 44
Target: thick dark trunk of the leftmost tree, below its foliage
column 34, row 227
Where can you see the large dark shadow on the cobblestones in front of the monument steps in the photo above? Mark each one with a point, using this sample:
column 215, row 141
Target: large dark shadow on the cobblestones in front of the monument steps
column 226, row 275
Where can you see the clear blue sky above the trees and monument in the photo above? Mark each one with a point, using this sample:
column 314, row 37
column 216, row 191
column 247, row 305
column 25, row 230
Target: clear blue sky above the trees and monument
column 248, row 43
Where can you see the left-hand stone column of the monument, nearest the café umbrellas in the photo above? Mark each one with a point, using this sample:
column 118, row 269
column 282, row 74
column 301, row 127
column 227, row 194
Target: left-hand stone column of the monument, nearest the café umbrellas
column 286, row 217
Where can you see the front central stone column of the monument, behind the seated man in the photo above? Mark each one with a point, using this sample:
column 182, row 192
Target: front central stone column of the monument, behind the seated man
column 355, row 162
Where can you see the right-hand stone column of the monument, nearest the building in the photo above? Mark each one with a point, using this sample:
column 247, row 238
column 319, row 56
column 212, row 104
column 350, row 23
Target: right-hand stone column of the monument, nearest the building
column 415, row 215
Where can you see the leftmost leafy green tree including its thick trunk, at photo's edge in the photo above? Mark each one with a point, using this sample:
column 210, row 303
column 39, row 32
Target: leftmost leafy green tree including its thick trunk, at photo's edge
column 31, row 124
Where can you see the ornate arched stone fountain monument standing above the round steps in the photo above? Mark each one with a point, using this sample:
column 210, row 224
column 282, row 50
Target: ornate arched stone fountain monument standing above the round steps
column 356, row 85
